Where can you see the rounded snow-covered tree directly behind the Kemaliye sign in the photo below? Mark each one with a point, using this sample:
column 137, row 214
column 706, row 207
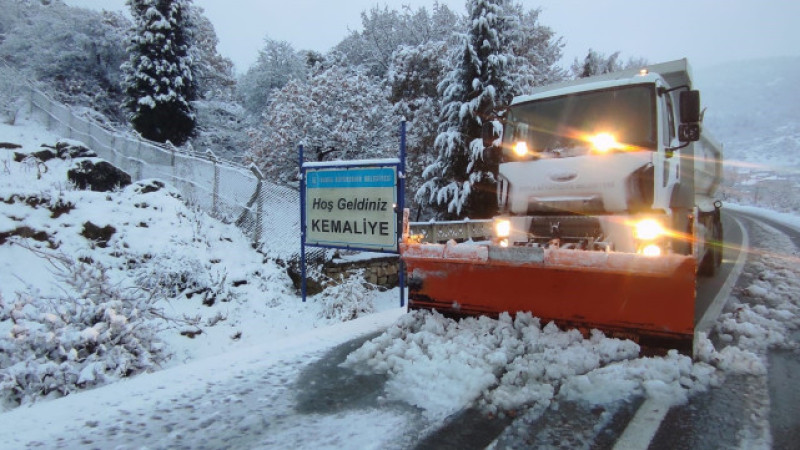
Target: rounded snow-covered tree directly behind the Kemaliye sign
column 339, row 113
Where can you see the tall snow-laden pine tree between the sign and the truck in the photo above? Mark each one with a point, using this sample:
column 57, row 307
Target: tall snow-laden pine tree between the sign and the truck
column 462, row 182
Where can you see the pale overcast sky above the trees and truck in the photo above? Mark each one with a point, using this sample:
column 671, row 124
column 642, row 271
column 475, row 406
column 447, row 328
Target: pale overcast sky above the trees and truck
column 708, row 32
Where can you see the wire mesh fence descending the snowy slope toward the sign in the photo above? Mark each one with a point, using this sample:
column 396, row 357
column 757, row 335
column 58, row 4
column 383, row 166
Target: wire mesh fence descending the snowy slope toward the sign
column 266, row 212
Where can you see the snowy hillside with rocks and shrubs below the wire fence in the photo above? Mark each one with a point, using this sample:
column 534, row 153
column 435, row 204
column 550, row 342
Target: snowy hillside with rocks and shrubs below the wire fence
column 98, row 286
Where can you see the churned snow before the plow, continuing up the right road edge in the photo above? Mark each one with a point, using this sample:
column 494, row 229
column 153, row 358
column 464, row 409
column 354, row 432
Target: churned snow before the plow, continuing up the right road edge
column 442, row 365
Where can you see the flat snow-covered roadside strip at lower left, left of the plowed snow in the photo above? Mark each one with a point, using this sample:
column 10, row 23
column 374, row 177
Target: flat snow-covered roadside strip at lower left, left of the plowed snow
column 245, row 399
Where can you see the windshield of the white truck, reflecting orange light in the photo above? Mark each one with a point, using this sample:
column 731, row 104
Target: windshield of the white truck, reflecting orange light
column 568, row 125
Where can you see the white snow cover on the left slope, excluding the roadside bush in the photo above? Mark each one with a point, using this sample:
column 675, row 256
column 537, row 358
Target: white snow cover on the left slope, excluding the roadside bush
column 206, row 290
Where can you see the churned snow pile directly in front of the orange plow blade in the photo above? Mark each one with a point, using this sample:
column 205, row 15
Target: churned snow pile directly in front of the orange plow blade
column 501, row 365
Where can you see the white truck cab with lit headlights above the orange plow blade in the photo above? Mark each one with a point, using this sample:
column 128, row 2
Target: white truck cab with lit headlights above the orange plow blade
column 615, row 163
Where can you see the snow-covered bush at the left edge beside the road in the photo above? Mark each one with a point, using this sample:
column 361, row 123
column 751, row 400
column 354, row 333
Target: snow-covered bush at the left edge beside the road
column 95, row 332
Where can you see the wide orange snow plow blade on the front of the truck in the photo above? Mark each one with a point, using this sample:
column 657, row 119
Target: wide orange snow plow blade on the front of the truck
column 649, row 300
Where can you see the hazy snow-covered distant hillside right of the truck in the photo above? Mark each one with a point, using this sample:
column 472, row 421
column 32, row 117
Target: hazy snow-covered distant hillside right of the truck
column 753, row 110
